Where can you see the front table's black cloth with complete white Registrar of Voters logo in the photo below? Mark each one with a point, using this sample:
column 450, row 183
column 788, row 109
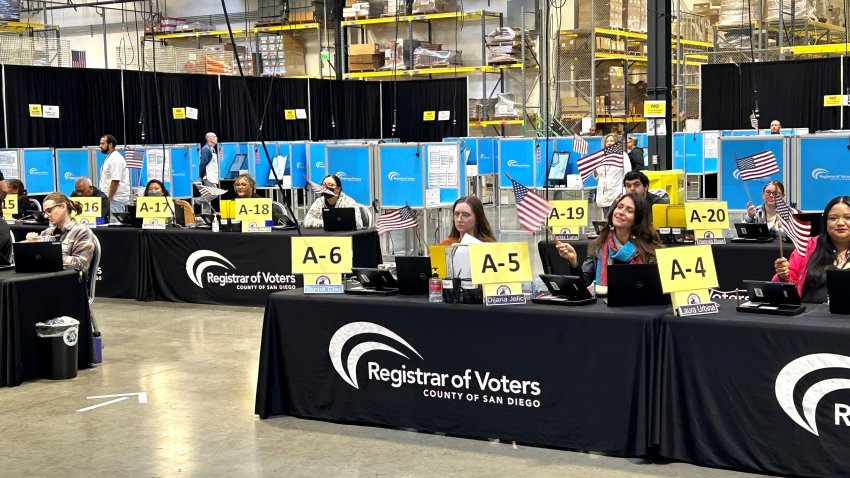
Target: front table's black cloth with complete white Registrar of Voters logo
column 578, row 377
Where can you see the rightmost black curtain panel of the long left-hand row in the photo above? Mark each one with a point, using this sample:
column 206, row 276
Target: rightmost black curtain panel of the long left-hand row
column 413, row 98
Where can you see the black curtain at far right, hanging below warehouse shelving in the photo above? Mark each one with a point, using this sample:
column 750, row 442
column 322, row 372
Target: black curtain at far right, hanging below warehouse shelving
column 790, row 91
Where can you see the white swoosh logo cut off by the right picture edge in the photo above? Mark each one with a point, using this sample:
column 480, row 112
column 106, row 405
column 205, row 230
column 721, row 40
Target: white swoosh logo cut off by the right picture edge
column 794, row 372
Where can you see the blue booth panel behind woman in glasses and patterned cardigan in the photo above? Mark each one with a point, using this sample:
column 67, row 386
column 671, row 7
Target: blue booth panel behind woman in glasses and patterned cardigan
column 352, row 163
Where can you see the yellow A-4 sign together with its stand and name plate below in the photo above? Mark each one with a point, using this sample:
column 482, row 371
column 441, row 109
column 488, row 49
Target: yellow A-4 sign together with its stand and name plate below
column 687, row 273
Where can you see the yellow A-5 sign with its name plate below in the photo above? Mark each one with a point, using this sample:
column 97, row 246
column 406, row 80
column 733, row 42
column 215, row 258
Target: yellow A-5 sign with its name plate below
column 501, row 267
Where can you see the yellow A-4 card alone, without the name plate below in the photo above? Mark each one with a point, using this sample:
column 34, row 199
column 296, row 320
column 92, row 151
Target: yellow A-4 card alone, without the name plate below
column 686, row 268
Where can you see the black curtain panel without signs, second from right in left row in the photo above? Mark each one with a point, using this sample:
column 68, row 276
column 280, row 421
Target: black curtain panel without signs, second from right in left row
column 354, row 107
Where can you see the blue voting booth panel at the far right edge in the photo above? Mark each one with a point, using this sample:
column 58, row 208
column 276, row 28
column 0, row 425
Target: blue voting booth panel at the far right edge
column 821, row 170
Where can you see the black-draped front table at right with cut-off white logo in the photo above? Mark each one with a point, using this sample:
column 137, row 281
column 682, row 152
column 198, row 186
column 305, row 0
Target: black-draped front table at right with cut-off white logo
column 763, row 393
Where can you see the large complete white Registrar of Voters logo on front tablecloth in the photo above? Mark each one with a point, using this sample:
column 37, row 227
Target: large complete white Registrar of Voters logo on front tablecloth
column 374, row 343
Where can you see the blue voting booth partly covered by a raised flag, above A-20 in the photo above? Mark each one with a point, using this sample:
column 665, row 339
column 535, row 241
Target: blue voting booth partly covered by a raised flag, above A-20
column 731, row 188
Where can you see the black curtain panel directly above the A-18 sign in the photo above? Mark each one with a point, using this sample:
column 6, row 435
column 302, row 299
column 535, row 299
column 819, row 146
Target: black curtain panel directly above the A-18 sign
column 237, row 124
